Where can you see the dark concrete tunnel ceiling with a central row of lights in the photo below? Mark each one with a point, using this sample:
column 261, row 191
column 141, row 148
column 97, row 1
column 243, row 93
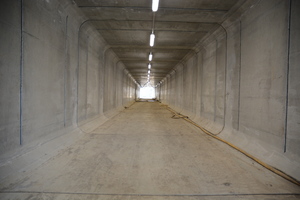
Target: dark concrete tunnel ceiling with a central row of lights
column 178, row 25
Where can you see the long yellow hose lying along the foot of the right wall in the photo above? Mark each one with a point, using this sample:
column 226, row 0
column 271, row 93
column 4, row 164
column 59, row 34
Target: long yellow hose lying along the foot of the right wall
column 265, row 165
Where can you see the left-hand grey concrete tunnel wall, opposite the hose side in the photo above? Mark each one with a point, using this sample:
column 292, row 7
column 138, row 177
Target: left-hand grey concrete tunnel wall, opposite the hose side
column 57, row 73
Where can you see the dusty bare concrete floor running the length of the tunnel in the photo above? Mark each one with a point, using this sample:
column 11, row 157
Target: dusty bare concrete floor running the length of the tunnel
column 143, row 153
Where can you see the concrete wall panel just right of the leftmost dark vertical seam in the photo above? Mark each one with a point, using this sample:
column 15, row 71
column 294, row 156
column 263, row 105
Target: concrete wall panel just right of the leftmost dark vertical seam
column 43, row 70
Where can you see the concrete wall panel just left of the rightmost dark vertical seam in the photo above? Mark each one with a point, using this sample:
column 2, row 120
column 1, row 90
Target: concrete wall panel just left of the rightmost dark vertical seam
column 263, row 67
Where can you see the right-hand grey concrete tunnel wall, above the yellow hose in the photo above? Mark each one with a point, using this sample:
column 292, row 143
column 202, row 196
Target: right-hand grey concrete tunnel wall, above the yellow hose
column 241, row 84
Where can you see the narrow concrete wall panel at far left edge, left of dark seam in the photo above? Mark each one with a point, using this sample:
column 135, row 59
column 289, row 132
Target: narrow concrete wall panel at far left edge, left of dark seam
column 10, row 55
